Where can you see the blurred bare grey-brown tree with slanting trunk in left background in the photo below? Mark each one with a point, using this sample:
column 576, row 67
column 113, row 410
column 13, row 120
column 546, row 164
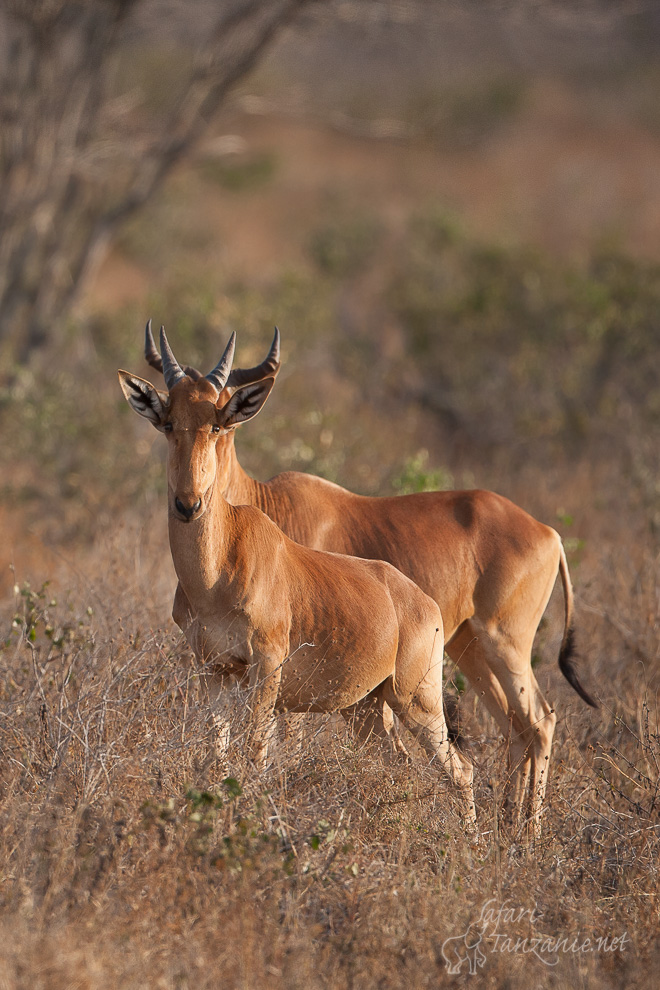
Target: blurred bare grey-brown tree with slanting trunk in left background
column 74, row 164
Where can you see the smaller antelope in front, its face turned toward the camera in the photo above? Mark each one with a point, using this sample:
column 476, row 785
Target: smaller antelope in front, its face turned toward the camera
column 307, row 630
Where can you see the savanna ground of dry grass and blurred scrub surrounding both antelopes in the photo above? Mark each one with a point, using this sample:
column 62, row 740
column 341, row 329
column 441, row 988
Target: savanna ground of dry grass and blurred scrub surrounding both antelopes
column 474, row 306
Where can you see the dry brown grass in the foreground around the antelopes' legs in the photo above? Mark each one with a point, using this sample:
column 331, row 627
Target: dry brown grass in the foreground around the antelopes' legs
column 128, row 862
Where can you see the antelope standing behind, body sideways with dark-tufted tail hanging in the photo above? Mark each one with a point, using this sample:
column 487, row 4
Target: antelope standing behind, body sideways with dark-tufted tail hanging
column 489, row 566
